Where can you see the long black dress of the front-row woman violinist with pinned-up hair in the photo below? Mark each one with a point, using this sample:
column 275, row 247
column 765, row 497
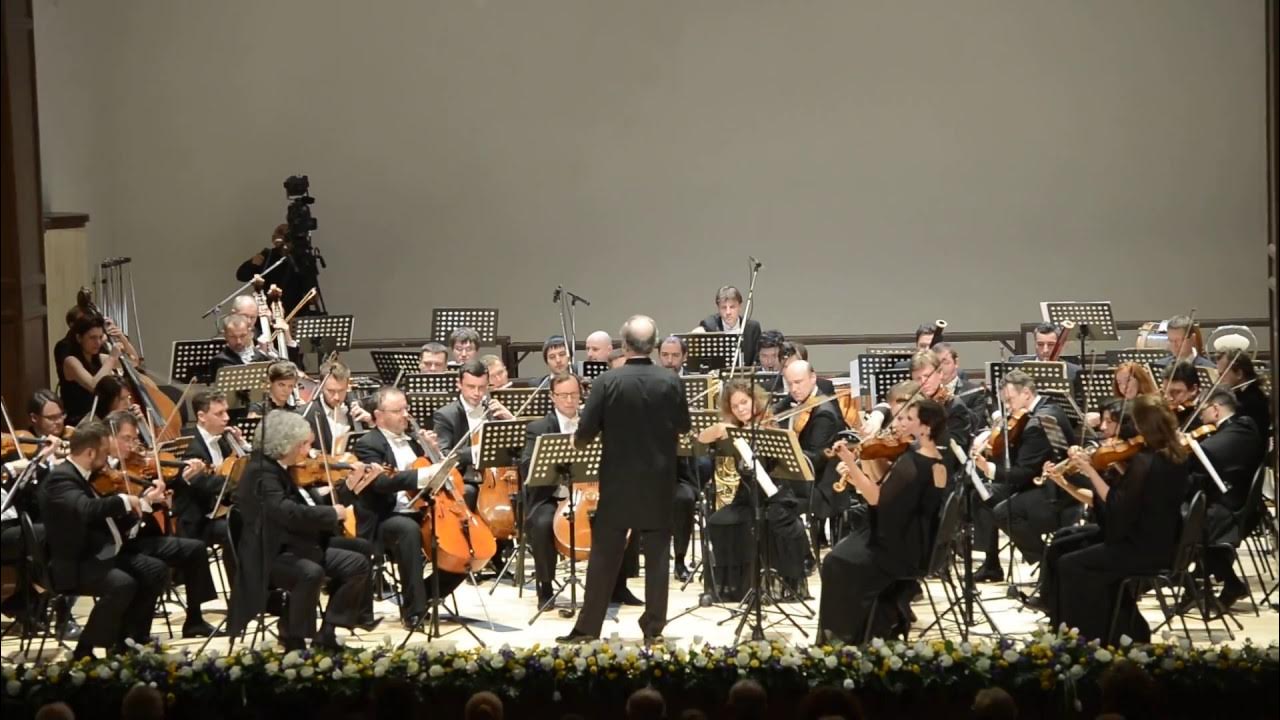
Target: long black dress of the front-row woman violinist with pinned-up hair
column 895, row 546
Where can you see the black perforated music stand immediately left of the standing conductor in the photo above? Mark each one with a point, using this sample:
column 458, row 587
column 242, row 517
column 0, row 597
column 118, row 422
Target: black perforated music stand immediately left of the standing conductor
column 557, row 462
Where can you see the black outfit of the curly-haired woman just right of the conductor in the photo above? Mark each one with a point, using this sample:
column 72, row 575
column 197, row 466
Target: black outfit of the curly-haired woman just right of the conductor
column 733, row 532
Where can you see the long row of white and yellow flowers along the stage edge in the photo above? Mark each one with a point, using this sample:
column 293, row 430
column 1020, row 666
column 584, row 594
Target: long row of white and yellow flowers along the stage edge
column 1052, row 662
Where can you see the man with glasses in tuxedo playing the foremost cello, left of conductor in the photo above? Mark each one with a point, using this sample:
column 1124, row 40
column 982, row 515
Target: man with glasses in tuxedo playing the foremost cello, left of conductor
column 385, row 516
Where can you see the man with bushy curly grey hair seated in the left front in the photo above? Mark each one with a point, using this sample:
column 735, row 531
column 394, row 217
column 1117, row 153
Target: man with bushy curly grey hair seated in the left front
column 285, row 544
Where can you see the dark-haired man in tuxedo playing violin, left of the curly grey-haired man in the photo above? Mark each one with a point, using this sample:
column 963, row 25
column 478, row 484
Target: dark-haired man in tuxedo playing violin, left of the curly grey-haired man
column 92, row 555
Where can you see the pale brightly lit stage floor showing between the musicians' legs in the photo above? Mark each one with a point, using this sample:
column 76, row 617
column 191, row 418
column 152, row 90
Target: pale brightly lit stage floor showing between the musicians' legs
column 499, row 617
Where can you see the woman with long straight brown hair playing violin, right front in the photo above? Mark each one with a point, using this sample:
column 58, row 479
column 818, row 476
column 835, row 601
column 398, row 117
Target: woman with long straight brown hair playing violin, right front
column 1142, row 520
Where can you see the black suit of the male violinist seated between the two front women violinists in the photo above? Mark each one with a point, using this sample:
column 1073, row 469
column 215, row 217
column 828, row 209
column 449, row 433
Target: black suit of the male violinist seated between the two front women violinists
column 1023, row 511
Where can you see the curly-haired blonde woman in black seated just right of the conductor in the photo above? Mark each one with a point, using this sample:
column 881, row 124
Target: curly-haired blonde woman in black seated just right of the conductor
column 733, row 527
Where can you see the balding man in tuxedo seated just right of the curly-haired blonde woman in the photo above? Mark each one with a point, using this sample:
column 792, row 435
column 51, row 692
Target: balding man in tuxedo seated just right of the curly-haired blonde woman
column 817, row 431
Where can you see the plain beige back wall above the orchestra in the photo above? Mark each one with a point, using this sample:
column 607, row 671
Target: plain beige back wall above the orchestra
column 890, row 162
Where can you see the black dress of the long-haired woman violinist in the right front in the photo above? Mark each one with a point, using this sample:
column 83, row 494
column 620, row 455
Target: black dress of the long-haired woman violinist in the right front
column 1142, row 520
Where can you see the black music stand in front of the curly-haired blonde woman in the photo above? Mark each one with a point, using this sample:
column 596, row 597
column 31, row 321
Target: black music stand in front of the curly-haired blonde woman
column 784, row 449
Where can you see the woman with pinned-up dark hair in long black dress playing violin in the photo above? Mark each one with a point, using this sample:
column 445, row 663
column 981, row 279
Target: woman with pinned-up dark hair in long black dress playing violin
column 902, row 516
